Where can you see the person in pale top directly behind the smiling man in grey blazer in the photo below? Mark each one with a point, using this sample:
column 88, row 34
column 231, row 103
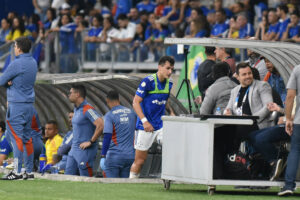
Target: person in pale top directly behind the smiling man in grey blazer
column 257, row 62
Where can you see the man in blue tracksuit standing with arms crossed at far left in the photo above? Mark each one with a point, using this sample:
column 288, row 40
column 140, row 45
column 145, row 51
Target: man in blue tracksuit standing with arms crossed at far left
column 19, row 79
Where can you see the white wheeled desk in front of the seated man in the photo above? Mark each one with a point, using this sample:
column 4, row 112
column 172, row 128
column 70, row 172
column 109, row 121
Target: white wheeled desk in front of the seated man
column 187, row 153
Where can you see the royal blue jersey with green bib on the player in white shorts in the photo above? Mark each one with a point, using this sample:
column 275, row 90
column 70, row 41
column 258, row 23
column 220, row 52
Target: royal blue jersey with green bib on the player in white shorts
column 155, row 96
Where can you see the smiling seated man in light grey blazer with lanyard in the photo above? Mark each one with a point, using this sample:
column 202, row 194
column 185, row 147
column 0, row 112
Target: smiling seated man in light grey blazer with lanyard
column 251, row 97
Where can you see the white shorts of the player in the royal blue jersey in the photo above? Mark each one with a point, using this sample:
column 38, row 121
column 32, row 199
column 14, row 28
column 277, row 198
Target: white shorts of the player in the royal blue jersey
column 144, row 140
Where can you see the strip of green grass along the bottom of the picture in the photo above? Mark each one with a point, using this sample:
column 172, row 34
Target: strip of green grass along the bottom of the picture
column 65, row 190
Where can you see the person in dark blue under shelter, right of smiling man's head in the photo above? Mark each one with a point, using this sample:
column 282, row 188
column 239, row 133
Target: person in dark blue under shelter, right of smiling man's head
column 275, row 80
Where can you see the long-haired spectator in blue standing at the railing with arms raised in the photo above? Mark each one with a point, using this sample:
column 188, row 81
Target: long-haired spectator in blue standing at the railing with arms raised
column 69, row 50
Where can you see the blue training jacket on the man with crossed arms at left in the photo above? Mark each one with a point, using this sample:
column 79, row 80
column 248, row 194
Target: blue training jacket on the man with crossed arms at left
column 22, row 72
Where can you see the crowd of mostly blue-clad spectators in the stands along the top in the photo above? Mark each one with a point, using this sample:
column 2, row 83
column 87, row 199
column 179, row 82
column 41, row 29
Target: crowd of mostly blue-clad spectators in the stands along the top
column 139, row 27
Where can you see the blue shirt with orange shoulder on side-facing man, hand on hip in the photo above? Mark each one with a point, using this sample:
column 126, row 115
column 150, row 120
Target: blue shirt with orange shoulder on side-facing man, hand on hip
column 83, row 124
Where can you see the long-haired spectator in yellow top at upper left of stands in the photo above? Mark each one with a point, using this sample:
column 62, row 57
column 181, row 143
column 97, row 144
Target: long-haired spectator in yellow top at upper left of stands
column 17, row 30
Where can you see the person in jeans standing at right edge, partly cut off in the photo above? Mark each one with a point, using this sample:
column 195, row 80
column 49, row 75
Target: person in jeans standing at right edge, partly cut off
column 293, row 129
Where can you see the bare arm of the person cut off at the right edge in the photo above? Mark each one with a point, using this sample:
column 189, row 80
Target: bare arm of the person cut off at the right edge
column 289, row 102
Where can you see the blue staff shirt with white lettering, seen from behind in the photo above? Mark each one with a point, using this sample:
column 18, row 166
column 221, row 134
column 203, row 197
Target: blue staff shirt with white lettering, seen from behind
column 120, row 122
